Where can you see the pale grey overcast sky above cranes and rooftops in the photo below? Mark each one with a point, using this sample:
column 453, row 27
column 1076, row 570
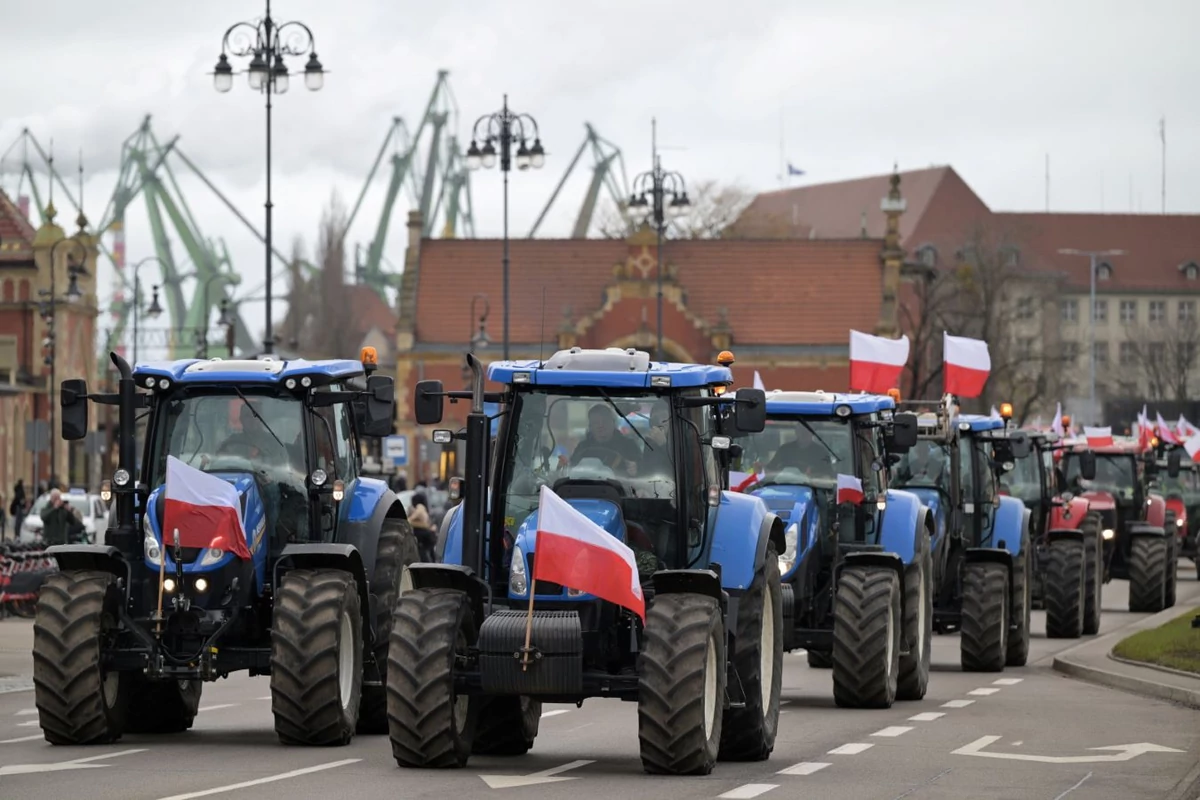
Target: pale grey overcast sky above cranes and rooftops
column 989, row 88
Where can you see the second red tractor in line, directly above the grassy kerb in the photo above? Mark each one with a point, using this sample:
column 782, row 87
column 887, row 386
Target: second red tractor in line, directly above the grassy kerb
column 1117, row 483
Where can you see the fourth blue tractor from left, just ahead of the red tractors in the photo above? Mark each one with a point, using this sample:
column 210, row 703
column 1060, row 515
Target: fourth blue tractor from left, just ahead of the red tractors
column 982, row 566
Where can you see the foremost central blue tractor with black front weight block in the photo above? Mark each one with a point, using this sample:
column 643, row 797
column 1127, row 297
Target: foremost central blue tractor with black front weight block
column 473, row 655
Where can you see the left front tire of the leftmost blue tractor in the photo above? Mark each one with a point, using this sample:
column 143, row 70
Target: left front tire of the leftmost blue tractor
column 79, row 702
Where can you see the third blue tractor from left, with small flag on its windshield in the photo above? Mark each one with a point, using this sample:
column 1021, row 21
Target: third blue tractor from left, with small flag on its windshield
column 857, row 572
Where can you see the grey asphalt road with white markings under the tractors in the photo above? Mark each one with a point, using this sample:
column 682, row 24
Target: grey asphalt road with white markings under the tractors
column 975, row 736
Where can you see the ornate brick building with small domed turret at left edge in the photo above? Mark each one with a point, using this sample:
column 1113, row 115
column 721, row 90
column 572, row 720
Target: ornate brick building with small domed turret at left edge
column 26, row 284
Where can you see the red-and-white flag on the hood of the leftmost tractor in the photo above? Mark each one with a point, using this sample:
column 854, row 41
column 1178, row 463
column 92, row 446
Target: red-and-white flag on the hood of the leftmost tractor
column 205, row 509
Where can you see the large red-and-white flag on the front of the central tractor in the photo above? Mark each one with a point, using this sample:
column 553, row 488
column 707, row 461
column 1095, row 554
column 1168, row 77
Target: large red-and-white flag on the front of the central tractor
column 575, row 552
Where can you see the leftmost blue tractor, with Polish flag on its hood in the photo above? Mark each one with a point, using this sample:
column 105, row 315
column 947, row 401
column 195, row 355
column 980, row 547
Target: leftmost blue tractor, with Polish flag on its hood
column 130, row 629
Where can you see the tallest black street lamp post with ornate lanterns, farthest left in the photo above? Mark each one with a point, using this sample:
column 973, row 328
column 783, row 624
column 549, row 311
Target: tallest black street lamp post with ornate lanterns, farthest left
column 267, row 44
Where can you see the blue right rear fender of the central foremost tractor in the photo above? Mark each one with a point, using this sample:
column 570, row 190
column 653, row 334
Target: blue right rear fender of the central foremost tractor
column 741, row 533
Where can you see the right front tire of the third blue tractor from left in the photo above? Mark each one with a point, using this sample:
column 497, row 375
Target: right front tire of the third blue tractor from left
column 867, row 628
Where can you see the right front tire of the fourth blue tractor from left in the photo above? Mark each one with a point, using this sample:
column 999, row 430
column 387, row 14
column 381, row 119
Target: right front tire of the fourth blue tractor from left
column 983, row 640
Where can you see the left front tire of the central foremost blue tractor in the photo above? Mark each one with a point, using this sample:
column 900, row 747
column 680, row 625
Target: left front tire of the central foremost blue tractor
column 428, row 723
